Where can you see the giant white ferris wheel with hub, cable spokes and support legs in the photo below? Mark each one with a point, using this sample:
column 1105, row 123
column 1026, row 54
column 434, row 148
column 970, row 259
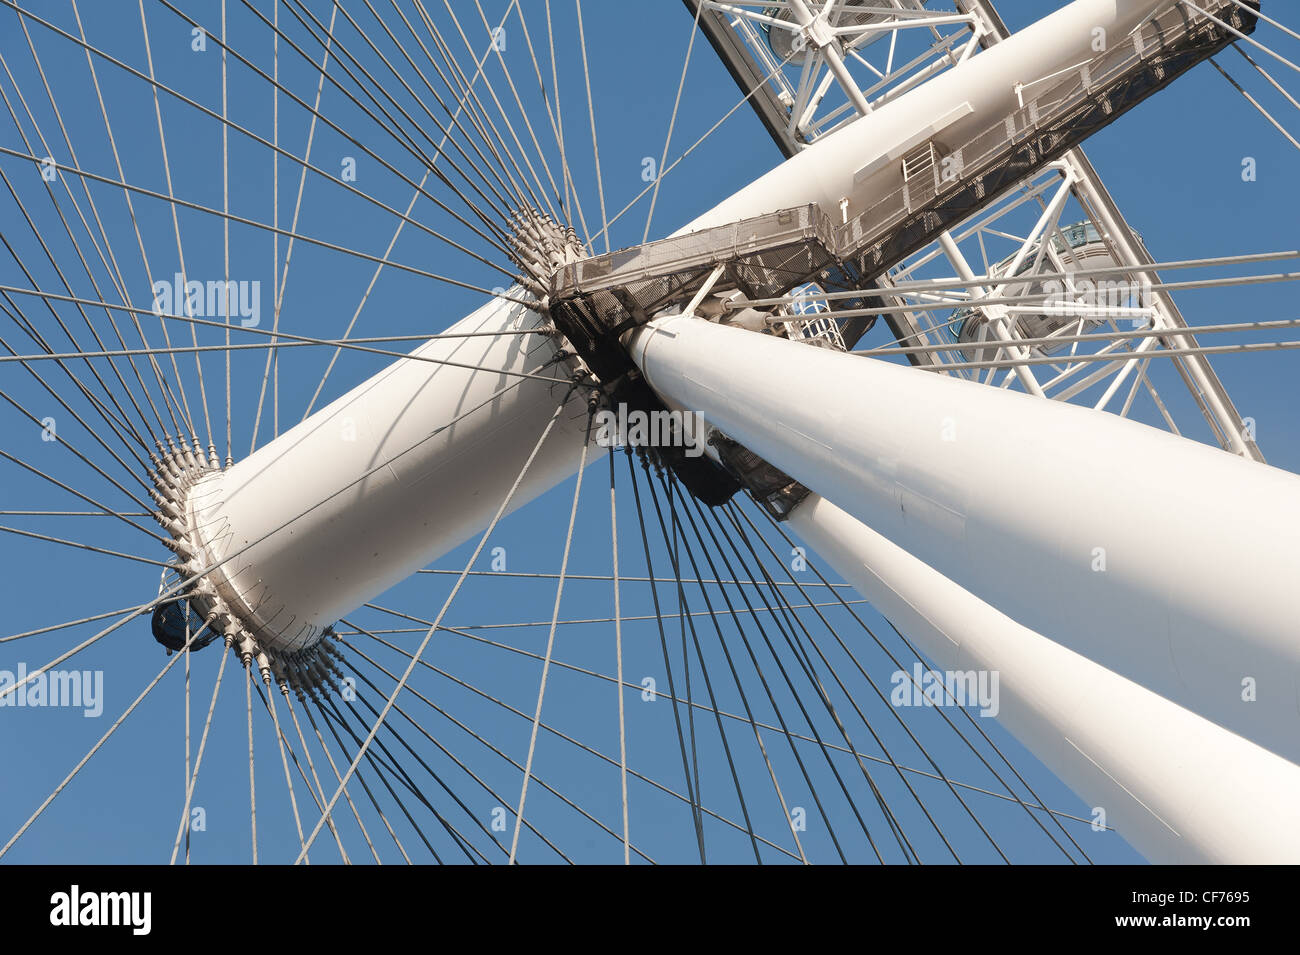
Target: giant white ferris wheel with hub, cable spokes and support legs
column 410, row 459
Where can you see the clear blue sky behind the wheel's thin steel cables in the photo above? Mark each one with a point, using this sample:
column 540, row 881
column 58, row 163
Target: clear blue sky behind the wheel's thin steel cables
column 1175, row 167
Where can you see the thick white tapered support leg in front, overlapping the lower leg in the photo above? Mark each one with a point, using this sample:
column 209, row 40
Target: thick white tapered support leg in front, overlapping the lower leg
column 1168, row 562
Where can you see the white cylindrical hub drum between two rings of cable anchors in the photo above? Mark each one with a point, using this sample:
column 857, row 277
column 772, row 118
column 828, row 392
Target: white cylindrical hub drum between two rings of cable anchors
column 385, row 485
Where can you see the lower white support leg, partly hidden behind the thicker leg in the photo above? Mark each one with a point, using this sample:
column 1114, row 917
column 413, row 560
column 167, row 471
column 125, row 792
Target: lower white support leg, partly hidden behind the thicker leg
column 1178, row 788
